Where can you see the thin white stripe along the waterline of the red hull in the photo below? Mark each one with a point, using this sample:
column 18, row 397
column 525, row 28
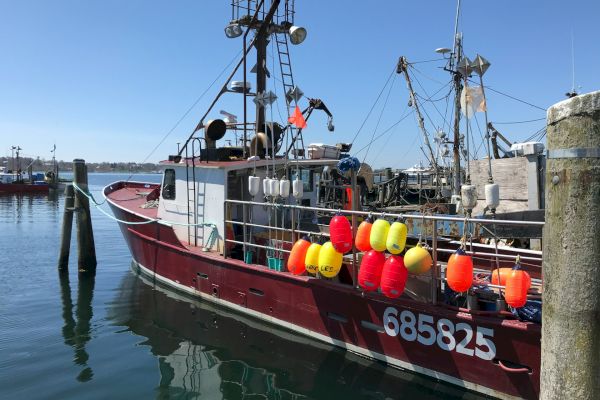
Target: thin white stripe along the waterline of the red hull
column 348, row 346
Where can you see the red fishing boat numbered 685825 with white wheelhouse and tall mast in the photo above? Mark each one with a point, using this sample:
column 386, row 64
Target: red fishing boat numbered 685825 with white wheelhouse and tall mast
column 221, row 224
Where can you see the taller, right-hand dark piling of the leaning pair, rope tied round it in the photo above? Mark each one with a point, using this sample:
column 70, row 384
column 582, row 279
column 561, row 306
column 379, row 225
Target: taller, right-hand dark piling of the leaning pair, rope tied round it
column 86, row 260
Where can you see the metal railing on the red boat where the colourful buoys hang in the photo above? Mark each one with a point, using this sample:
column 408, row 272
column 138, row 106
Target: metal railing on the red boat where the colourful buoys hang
column 430, row 234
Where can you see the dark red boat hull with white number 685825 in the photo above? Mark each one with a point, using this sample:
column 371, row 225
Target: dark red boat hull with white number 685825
column 464, row 349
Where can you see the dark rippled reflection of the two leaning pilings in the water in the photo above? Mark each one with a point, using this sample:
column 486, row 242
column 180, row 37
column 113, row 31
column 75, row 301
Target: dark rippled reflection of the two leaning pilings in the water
column 76, row 331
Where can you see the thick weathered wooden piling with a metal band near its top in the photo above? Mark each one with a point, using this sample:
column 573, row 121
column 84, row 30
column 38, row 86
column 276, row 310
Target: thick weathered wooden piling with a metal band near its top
column 571, row 288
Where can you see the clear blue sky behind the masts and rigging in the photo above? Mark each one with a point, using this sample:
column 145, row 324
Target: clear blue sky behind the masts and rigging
column 106, row 80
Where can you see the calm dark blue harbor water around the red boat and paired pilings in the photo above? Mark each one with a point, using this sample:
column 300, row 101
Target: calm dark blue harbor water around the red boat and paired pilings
column 117, row 335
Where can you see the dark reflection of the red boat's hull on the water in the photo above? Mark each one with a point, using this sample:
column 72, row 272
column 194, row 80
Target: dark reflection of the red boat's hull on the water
column 205, row 351
